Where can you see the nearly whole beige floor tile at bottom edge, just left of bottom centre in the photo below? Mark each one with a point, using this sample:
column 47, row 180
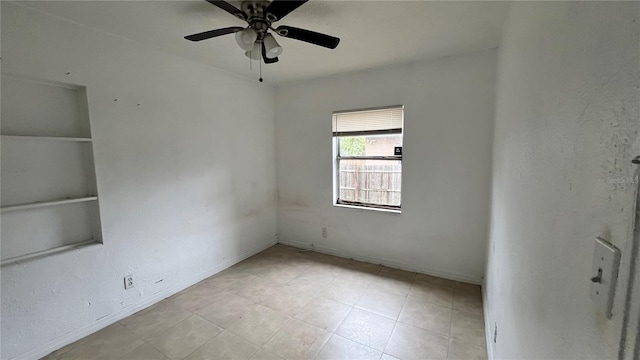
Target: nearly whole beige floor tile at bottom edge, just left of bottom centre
column 298, row 340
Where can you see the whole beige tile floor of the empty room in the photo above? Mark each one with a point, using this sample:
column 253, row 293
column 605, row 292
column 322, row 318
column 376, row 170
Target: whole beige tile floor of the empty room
column 289, row 304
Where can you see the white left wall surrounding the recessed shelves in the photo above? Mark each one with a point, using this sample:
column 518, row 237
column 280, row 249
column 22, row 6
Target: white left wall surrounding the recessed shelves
column 186, row 179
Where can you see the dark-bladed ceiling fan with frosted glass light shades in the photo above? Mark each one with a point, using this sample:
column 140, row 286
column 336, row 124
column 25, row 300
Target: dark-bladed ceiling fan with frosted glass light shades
column 255, row 39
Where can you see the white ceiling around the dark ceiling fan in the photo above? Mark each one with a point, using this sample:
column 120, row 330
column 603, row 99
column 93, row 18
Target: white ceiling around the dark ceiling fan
column 372, row 33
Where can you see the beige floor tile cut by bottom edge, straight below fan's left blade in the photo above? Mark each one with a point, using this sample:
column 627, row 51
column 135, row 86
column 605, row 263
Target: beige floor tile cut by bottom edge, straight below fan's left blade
column 225, row 346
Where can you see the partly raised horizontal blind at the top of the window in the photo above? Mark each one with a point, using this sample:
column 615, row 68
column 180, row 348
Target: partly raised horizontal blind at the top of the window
column 367, row 122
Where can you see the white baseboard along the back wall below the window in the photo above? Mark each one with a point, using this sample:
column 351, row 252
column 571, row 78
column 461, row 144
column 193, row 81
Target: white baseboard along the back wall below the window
column 393, row 264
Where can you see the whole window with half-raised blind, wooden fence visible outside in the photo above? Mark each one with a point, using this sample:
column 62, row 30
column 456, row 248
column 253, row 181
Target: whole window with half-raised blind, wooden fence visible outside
column 368, row 157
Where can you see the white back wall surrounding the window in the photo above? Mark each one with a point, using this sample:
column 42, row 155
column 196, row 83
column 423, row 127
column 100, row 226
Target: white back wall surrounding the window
column 449, row 111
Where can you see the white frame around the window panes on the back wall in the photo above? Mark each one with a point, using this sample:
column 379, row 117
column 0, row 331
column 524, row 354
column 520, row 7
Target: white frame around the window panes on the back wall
column 335, row 136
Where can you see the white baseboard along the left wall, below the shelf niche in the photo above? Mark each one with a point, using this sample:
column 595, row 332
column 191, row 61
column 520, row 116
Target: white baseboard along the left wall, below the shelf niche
column 82, row 332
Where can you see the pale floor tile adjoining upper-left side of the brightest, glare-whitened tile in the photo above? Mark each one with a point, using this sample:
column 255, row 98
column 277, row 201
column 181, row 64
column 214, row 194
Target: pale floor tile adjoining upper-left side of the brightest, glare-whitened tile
column 324, row 313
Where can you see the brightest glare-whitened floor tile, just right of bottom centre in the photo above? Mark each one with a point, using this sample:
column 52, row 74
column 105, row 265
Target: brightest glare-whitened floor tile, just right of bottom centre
column 366, row 328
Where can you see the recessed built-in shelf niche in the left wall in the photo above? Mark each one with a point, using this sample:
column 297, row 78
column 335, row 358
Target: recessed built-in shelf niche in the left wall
column 49, row 191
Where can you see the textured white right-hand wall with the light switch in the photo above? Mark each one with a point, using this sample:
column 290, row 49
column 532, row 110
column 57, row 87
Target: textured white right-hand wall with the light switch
column 566, row 129
